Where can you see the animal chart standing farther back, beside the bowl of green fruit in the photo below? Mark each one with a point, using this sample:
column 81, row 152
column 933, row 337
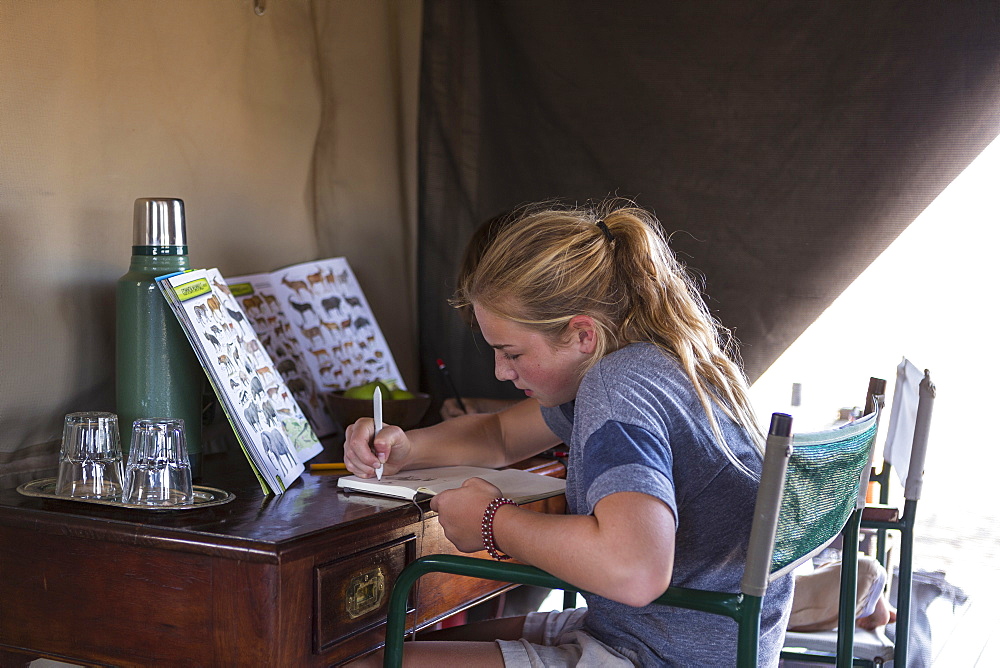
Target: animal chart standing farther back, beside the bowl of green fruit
column 316, row 324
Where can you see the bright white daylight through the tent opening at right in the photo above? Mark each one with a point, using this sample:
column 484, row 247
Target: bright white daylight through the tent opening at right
column 932, row 297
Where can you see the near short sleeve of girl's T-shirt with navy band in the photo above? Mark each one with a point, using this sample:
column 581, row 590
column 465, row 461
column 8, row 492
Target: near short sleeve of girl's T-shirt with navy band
column 622, row 457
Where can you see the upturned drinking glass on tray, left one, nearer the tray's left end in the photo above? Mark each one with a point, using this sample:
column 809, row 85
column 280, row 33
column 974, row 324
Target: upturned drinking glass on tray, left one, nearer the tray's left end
column 90, row 458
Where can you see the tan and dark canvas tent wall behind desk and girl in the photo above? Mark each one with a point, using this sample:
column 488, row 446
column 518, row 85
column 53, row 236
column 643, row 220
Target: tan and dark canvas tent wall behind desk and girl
column 782, row 143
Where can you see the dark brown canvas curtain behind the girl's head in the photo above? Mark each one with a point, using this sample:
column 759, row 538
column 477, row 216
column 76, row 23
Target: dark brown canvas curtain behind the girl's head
column 783, row 144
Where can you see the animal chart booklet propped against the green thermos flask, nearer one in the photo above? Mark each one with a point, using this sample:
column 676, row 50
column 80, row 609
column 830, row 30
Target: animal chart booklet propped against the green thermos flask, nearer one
column 271, row 428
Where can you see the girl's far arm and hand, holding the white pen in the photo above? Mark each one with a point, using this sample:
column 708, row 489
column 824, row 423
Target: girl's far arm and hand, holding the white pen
column 491, row 440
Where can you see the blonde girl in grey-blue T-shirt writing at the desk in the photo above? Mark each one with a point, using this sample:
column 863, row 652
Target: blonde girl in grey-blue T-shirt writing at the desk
column 595, row 320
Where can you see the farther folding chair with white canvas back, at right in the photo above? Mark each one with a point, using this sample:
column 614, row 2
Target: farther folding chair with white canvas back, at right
column 905, row 448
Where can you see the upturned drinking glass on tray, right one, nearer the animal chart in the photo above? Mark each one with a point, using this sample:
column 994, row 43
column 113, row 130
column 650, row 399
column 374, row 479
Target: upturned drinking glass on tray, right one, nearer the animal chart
column 158, row 472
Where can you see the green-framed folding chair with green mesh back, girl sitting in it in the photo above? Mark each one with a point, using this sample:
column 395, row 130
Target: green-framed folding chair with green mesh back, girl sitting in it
column 809, row 488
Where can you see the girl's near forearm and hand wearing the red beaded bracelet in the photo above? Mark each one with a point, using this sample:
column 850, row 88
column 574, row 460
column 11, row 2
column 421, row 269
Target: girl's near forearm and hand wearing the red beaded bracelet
column 624, row 551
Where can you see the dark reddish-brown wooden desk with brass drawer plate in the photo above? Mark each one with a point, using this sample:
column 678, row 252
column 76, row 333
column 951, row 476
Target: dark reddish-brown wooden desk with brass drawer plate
column 300, row 579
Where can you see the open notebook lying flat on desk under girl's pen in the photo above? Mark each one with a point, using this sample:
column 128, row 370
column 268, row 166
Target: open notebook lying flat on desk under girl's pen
column 515, row 484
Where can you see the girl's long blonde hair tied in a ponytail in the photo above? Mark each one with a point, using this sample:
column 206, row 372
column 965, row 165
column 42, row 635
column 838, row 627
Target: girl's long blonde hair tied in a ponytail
column 554, row 263
